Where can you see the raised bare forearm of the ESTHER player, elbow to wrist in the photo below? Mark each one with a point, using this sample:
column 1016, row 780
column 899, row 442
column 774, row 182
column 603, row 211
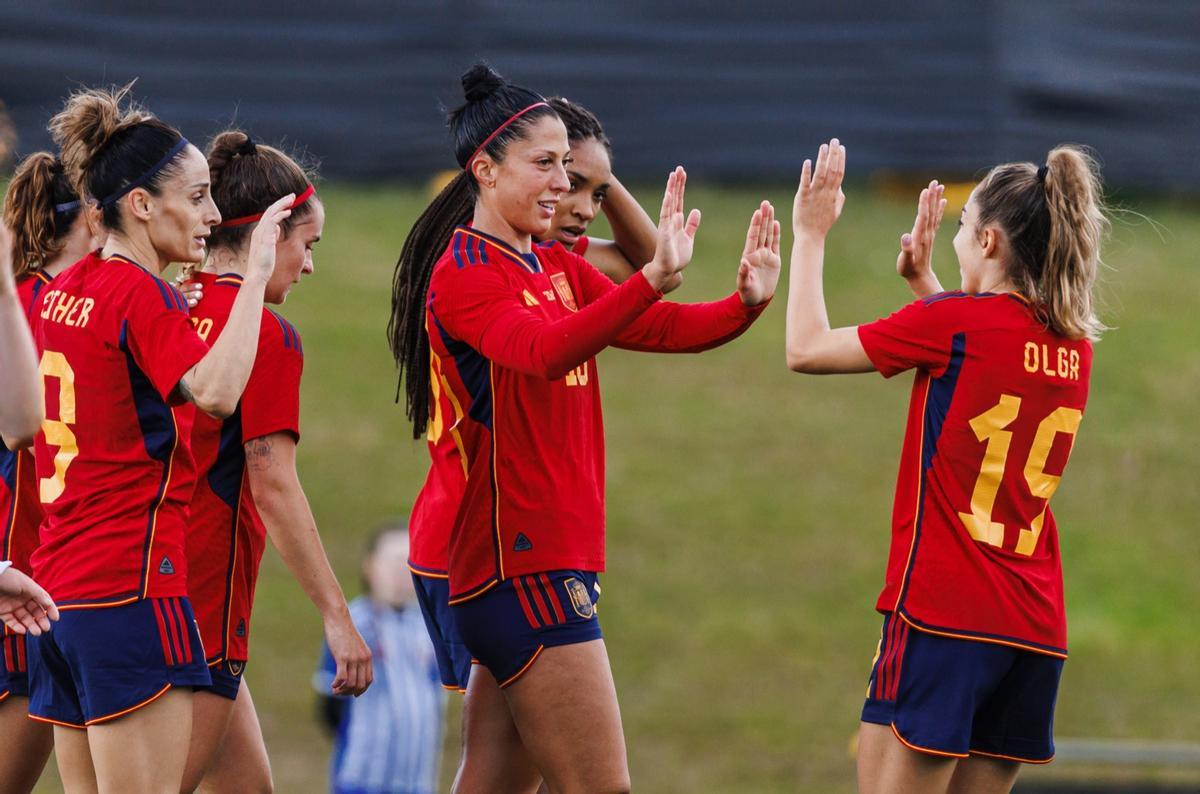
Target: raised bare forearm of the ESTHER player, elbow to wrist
column 217, row 383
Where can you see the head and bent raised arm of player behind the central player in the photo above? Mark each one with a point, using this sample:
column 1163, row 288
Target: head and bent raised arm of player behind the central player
column 595, row 189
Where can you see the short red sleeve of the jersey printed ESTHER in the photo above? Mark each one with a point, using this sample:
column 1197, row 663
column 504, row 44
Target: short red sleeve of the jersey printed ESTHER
column 160, row 335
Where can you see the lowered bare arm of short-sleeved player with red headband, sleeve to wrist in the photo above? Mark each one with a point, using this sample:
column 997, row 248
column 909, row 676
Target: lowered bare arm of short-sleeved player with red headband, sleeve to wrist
column 292, row 528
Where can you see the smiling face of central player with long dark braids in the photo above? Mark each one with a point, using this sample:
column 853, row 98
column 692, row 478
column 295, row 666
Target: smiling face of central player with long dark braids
column 525, row 188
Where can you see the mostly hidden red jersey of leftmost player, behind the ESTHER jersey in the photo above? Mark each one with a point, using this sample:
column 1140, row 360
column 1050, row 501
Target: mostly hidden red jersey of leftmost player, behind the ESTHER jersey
column 20, row 507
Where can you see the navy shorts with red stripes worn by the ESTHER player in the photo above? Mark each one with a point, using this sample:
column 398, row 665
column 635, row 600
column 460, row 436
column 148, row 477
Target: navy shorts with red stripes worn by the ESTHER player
column 100, row 664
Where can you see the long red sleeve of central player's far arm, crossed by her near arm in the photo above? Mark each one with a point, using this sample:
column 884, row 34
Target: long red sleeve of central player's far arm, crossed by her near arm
column 675, row 328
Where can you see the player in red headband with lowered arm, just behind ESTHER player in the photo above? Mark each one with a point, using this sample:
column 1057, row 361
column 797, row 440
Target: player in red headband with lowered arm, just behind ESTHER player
column 248, row 486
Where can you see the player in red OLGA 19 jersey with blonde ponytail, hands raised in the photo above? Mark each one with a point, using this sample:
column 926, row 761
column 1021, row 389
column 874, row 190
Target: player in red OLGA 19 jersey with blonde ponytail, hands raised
column 964, row 685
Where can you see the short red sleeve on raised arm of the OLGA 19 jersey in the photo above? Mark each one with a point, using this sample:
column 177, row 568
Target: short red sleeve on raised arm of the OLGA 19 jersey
column 917, row 336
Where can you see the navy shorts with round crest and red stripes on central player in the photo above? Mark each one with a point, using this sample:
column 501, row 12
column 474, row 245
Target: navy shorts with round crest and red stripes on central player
column 507, row 628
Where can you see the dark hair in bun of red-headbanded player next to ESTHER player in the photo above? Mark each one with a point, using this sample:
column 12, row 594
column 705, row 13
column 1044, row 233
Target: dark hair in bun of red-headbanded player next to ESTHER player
column 248, row 178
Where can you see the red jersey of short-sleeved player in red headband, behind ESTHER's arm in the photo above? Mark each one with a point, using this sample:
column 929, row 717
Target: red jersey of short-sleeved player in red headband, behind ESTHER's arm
column 226, row 536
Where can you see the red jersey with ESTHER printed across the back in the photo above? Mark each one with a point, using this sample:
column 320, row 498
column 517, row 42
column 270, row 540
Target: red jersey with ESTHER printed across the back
column 113, row 462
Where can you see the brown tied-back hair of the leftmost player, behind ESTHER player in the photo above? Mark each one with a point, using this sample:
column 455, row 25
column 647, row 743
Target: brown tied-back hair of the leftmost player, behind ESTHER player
column 40, row 209
